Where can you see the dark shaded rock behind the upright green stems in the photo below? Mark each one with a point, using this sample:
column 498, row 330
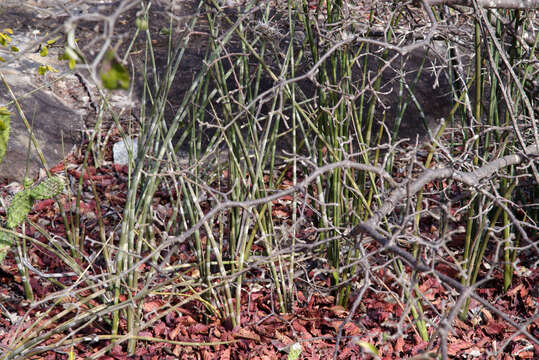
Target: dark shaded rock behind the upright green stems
column 406, row 116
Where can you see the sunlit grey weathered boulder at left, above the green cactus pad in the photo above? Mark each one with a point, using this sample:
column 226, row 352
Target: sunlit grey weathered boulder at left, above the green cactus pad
column 54, row 104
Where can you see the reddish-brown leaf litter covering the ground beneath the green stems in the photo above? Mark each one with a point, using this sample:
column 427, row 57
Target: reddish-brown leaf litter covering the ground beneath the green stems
column 263, row 334
